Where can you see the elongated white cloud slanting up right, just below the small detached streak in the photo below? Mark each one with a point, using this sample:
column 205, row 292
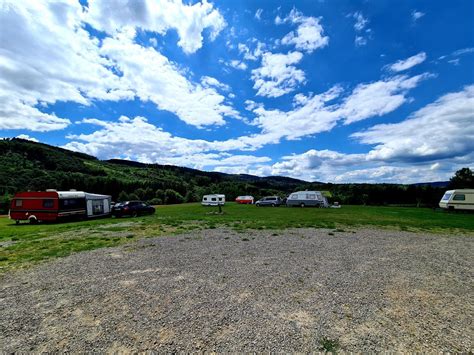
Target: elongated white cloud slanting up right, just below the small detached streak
column 378, row 98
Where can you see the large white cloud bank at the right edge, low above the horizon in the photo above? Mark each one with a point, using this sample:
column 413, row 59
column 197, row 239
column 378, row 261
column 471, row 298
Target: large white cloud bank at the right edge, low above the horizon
column 427, row 146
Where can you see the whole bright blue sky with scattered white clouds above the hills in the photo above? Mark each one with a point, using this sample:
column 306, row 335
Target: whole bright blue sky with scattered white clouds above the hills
column 334, row 91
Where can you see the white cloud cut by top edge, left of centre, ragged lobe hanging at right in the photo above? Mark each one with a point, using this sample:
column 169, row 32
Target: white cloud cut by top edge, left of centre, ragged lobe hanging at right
column 189, row 21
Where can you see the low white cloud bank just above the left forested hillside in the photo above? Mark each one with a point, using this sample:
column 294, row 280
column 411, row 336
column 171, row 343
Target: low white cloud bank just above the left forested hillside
column 138, row 139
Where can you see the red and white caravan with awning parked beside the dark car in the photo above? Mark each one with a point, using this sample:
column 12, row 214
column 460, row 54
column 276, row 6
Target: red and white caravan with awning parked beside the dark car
column 51, row 205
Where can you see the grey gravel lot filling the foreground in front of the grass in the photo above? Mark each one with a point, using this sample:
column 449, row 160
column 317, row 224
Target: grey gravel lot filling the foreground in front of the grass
column 218, row 290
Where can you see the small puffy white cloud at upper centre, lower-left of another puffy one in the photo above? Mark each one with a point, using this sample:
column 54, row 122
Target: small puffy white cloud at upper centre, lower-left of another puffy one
column 277, row 75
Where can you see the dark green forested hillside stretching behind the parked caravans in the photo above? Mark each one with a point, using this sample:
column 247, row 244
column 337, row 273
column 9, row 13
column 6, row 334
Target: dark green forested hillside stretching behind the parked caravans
column 27, row 165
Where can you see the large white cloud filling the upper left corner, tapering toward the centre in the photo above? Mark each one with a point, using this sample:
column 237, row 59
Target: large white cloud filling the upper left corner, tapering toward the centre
column 46, row 57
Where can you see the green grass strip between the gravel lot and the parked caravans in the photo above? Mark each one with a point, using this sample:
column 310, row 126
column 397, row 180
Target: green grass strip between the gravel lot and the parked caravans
column 23, row 245
